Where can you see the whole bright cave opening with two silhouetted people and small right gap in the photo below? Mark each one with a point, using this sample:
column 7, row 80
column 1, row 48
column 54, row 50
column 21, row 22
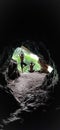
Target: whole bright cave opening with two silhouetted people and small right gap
column 27, row 61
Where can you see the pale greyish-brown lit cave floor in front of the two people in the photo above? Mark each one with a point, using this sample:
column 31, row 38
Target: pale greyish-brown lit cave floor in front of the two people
column 26, row 84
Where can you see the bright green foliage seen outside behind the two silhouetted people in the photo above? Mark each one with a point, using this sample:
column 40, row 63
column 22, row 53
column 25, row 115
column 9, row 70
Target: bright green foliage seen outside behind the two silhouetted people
column 27, row 59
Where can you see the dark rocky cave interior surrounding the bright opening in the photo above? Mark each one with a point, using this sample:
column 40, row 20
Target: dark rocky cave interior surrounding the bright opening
column 30, row 103
